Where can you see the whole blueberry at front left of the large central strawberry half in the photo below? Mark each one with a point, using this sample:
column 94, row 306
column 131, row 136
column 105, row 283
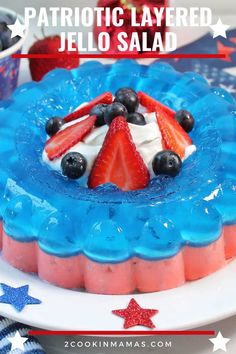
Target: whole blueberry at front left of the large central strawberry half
column 73, row 165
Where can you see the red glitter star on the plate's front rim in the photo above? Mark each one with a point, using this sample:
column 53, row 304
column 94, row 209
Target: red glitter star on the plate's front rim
column 135, row 315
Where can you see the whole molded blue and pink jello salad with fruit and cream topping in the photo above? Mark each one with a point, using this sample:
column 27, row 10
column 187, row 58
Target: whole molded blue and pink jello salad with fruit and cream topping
column 117, row 178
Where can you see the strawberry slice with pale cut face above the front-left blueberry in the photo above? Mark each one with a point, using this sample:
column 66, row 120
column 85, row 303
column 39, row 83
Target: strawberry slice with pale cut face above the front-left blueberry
column 68, row 137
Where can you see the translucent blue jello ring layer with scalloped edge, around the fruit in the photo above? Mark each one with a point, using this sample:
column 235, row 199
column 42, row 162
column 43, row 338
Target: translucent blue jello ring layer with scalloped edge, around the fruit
column 106, row 224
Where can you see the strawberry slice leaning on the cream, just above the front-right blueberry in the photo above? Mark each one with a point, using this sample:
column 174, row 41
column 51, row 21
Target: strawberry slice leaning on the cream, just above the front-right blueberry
column 173, row 136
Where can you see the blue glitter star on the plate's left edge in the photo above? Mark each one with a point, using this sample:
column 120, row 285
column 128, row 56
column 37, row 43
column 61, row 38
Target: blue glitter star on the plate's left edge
column 17, row 297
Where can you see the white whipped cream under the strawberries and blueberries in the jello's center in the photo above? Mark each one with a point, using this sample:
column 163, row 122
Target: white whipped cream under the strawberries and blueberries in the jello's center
column 147, row 138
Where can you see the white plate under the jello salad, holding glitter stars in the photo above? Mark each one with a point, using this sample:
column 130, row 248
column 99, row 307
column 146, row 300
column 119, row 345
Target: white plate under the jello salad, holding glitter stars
column 191, row 305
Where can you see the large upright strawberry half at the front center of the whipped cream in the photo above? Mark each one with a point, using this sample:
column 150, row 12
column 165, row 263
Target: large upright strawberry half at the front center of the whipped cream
column 118, row 161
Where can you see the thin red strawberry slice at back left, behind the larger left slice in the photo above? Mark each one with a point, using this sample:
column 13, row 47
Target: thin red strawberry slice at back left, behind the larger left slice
column 83, row 111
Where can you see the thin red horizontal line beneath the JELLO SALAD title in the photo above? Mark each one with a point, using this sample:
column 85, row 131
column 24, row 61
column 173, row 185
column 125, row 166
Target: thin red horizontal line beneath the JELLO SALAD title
column 121, row 56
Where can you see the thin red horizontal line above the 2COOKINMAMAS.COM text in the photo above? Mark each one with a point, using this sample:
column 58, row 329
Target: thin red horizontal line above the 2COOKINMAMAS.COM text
column 144, row 333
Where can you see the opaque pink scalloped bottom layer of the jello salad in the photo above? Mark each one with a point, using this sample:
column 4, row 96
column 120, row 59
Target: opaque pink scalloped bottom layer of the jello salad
column 125, row 277
